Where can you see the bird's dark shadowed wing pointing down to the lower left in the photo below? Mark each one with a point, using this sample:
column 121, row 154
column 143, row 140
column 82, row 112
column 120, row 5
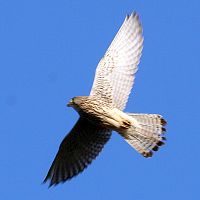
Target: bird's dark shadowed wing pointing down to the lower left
column 77, row 150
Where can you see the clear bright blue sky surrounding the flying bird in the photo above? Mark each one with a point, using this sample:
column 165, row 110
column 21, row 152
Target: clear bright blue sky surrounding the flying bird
column 48, row 53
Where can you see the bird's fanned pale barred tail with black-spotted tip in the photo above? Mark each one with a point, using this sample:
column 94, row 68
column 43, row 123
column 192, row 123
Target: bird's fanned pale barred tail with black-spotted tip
column 147, row 135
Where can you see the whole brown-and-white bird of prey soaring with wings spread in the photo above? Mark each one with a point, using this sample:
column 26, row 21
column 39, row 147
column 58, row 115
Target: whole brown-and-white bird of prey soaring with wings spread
column 102, row 111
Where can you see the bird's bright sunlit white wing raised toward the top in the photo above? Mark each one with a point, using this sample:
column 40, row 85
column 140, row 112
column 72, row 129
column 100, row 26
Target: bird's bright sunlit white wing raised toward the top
column 115, row 72
